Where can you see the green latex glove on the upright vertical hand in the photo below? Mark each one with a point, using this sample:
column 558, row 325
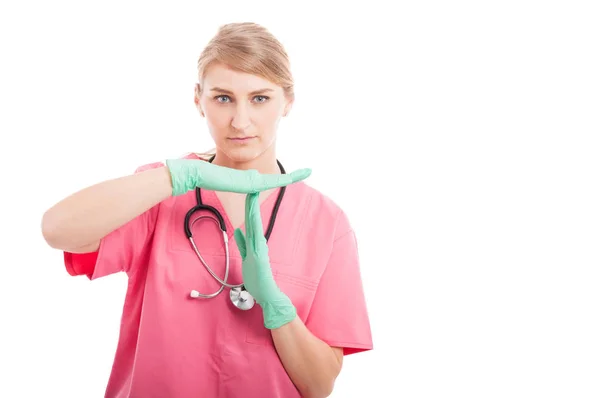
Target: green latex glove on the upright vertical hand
column 256, row 269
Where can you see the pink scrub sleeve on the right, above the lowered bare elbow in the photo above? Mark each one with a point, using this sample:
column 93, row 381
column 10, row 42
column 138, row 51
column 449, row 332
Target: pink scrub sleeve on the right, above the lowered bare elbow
column 338, row 315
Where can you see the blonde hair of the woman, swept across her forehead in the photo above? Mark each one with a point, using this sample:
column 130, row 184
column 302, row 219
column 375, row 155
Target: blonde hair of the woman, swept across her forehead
column 249, row 48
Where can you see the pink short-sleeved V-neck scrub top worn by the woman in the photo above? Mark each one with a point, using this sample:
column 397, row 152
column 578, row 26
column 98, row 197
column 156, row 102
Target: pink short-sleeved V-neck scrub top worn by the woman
column 171, row 345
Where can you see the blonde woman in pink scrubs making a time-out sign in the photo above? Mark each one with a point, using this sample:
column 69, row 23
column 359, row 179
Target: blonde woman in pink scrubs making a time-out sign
column 303, row 275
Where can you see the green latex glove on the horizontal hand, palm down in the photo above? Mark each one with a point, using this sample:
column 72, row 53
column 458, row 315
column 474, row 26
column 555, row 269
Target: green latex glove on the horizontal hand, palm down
column 187, row 174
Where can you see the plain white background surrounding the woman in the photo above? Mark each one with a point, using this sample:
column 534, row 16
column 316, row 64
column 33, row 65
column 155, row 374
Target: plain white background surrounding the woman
column 460, row 137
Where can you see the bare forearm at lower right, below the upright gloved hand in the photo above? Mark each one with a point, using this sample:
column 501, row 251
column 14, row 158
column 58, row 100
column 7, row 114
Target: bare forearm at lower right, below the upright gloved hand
column 311, row 363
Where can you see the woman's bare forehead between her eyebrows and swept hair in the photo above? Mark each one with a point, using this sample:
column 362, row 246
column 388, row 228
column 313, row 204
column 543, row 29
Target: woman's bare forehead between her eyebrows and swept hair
column 221, row 76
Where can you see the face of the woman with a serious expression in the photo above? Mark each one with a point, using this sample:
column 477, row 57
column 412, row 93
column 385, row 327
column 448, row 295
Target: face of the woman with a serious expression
column 242, row 112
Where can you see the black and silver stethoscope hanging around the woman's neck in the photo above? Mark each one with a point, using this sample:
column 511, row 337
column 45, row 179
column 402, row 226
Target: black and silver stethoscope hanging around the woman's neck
column 238, row 295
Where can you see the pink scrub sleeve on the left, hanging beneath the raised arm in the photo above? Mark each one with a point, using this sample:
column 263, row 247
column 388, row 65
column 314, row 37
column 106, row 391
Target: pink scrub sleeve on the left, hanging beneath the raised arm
column 123, row 250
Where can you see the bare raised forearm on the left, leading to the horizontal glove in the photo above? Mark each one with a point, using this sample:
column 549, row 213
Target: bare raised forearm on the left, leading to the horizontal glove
column 92, row 213
